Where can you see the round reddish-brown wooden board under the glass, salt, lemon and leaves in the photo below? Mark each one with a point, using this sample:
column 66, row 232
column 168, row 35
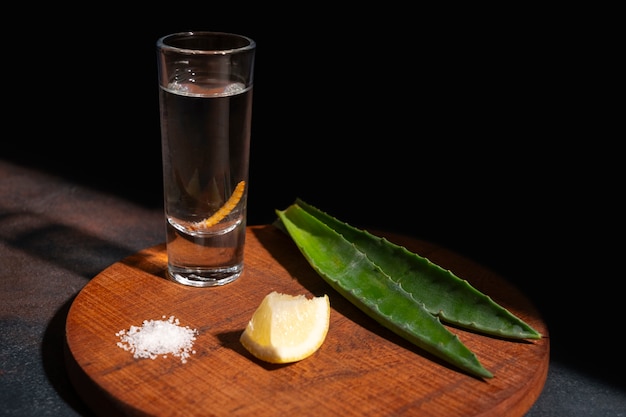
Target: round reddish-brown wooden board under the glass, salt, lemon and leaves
column 361, row 369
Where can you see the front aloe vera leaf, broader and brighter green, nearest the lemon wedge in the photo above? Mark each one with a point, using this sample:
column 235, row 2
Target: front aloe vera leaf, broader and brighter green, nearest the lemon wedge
column 364, row 284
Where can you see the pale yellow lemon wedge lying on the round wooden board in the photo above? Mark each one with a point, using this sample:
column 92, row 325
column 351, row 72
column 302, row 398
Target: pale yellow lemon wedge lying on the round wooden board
column 287, row 328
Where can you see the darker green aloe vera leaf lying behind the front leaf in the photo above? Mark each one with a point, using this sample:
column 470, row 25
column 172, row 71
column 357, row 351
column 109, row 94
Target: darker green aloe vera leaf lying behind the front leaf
column 443, row 293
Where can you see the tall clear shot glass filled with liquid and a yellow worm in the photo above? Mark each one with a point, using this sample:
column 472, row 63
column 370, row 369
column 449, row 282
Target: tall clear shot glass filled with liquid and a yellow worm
column 205, row 101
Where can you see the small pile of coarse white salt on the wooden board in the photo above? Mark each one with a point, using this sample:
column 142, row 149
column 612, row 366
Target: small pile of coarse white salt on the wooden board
column 158, row 337
